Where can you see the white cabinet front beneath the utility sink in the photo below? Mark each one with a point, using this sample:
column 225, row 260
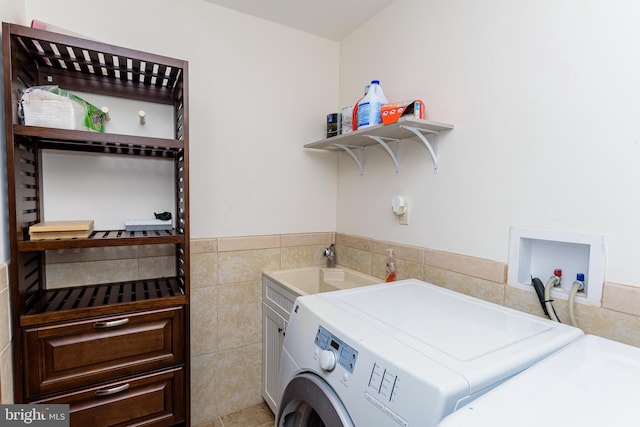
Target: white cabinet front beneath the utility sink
column 277, row 302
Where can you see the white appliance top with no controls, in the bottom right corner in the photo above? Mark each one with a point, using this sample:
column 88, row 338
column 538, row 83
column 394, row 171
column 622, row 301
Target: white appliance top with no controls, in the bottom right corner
column 590, row 383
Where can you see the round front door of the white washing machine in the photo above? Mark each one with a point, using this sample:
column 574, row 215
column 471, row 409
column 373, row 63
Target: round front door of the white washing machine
column 308, row 401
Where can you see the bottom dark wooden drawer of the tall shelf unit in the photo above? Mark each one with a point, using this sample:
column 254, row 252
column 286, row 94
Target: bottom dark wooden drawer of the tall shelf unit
column 152, row 400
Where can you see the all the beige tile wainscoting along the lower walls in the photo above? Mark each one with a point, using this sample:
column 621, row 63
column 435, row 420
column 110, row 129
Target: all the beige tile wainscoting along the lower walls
column 226, row 326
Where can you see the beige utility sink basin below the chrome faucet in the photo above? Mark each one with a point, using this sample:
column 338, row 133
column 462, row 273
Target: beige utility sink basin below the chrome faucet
column 314, row 280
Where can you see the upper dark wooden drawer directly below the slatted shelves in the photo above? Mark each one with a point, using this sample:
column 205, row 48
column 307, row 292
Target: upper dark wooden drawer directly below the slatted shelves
column 76, row 354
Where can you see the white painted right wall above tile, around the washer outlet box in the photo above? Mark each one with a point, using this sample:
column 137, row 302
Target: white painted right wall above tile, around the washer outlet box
column 543, row 96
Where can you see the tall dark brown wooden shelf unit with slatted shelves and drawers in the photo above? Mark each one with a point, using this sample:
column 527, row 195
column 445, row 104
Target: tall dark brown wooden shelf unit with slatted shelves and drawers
column 117, row 353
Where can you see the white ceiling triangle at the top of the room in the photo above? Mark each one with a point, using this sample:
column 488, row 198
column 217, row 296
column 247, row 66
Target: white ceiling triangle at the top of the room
column 331, row 19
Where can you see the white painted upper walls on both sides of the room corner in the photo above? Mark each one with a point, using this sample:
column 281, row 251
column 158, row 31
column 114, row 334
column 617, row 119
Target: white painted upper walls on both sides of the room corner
column 541, row 95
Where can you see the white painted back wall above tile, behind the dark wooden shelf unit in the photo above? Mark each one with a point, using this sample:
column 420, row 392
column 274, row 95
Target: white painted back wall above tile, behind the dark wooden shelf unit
column 258, row 92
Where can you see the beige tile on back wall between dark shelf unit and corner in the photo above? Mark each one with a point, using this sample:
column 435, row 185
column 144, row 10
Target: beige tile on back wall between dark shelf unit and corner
column 226, row 315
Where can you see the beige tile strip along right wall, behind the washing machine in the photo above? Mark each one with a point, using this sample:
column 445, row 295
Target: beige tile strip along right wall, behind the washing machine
column 618, row 317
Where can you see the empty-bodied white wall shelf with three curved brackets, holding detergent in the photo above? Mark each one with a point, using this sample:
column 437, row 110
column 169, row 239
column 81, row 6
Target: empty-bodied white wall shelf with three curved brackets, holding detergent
column 387, row 136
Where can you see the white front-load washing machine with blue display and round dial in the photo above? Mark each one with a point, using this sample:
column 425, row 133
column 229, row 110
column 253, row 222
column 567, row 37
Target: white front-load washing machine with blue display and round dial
column 405, row 353
